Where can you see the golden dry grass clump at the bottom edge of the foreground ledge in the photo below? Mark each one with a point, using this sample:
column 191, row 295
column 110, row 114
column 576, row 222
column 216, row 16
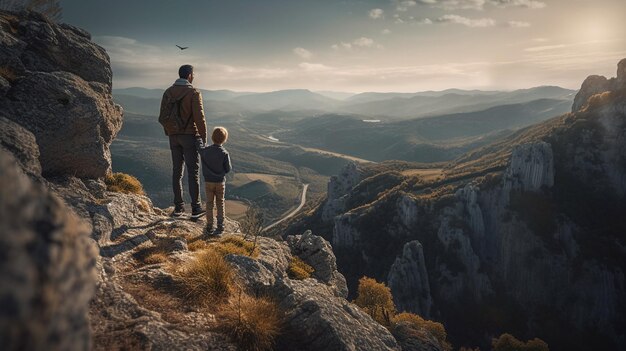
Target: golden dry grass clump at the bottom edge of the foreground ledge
column 252, row 322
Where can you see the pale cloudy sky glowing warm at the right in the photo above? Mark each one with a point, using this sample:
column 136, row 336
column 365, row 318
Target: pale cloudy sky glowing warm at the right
column 356, row 45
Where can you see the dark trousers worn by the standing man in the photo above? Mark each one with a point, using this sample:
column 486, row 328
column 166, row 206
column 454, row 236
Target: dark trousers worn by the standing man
column 184, row 151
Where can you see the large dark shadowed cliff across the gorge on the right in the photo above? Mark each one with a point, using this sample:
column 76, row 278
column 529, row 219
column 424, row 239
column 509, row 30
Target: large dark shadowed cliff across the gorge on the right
column 525, row 235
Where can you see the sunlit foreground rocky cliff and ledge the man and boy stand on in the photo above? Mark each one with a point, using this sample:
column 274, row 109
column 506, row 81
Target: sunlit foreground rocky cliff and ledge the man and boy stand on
column 82, row 267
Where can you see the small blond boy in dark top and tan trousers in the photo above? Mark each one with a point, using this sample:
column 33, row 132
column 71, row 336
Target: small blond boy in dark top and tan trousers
column 215, row 165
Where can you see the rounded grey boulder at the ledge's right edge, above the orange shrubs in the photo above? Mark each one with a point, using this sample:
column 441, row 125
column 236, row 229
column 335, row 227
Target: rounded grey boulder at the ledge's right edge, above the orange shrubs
column 317, row 252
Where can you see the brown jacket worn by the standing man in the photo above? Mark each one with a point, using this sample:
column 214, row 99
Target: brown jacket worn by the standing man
column 190, row 107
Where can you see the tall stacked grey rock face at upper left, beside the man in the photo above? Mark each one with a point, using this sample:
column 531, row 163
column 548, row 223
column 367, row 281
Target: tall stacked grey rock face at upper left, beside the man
column 57, row 85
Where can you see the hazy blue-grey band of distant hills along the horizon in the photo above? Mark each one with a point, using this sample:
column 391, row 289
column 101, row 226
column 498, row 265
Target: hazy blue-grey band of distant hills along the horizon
column 385, row 106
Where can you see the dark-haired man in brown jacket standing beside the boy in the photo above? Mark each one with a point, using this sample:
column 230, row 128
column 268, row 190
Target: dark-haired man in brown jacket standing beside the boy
column 184, row 140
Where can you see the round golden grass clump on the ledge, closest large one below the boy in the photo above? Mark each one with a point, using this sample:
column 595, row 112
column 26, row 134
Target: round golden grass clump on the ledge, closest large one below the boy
column 206, row 279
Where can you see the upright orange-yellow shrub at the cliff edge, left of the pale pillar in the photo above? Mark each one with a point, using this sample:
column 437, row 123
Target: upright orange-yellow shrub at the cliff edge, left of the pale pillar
column 375, row 299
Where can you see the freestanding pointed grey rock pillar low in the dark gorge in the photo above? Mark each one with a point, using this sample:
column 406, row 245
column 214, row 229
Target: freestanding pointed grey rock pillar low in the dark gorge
column 408, row 281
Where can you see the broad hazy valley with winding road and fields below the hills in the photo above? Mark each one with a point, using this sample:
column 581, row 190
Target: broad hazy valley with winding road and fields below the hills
column 282, row 140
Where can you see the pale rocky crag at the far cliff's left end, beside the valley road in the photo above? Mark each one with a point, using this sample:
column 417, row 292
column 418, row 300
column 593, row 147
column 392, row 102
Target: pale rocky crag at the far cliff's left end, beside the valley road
column 338, row 187
